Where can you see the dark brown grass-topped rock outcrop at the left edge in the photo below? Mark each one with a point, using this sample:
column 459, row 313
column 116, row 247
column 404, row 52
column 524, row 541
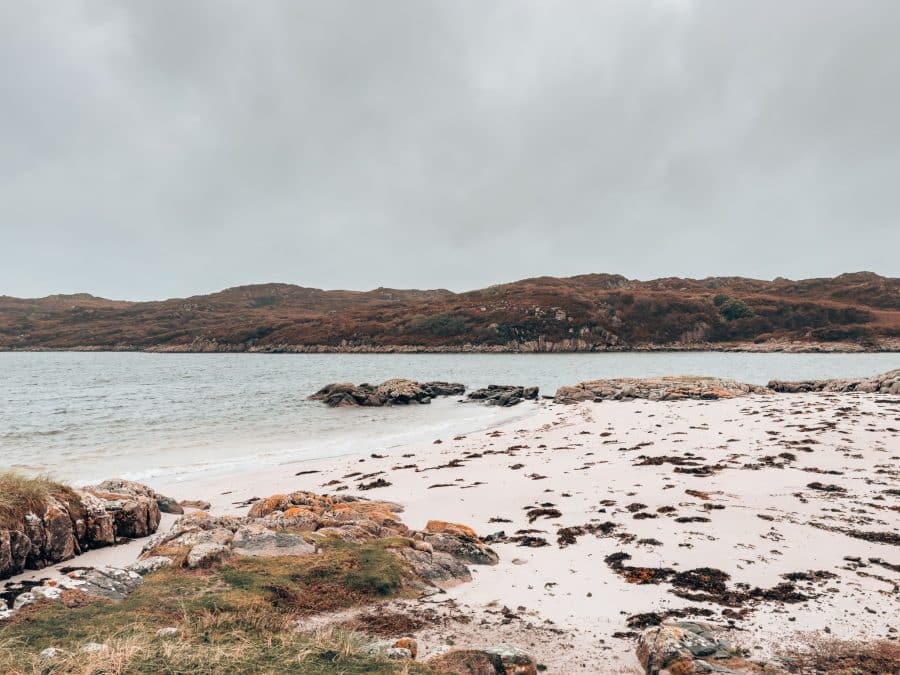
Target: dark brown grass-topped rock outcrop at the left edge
column 76, row 521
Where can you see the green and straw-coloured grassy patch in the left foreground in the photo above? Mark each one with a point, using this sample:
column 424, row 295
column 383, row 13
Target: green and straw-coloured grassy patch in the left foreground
column 238, row 618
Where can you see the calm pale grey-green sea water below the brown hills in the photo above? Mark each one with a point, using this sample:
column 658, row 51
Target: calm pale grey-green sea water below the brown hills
column 88, row 416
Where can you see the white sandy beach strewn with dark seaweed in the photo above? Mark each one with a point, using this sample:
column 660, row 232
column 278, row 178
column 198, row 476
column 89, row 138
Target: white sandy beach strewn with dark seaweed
column 757, row 516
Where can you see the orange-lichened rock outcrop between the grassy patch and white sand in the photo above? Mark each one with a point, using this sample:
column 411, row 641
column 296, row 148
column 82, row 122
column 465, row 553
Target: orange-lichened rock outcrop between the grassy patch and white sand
column 298, row 523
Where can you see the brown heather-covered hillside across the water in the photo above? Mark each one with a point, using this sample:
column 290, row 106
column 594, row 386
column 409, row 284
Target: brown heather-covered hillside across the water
column 583, row 313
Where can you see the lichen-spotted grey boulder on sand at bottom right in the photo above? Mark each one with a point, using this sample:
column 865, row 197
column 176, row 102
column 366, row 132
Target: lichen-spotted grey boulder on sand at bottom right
column 693, row 647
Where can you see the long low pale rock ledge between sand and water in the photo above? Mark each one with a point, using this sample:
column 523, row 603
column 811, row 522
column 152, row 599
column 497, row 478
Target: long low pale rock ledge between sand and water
column 657, row 389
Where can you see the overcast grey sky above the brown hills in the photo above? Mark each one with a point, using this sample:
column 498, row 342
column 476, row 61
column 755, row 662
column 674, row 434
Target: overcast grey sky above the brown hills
column 166, row 148
